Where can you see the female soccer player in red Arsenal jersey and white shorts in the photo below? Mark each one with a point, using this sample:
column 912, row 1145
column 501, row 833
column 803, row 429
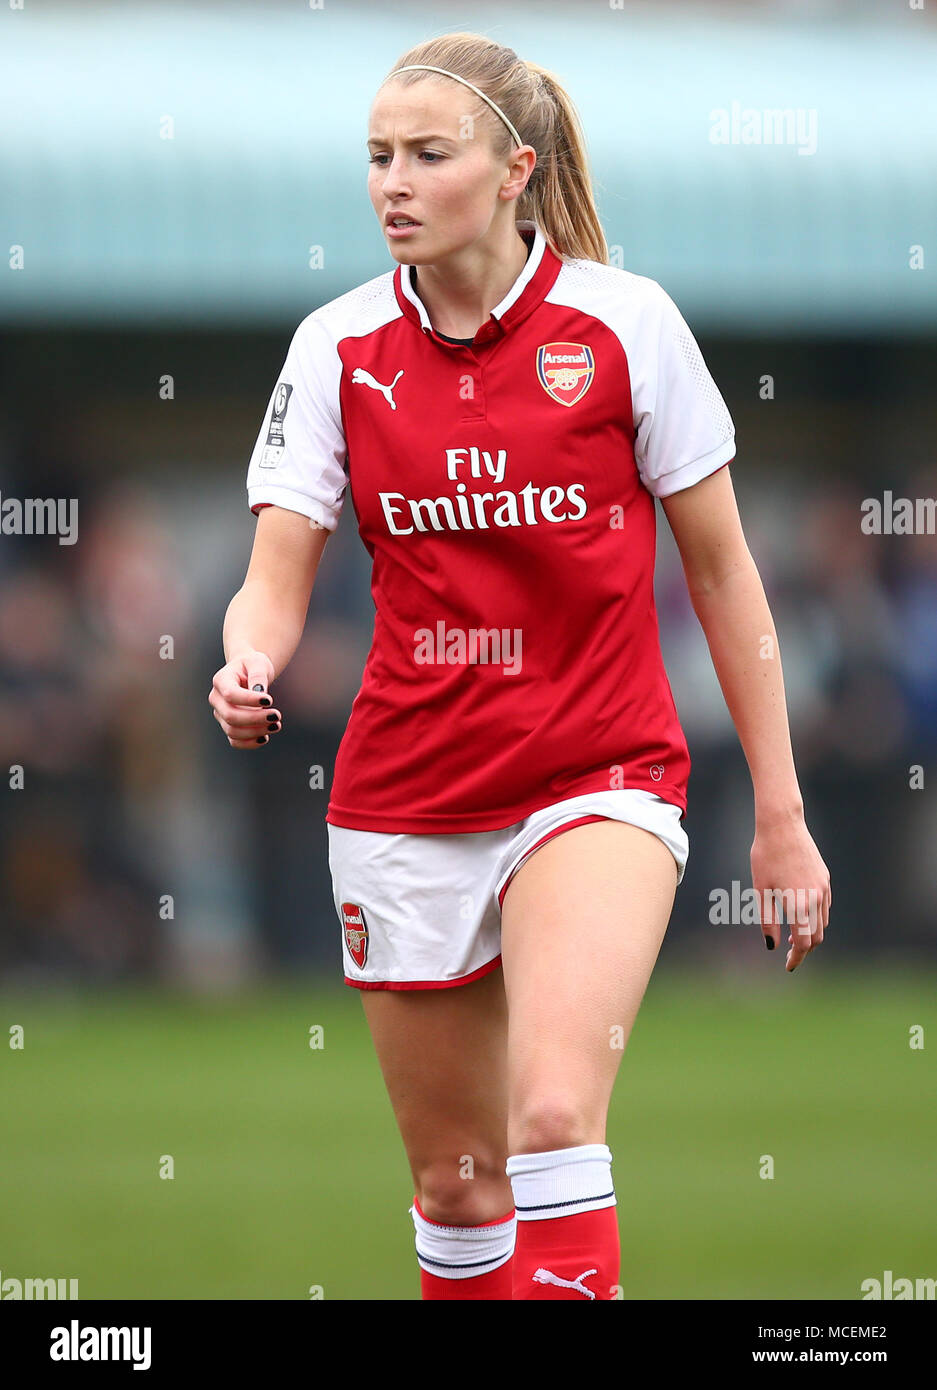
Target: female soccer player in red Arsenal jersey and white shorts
column 507, row 814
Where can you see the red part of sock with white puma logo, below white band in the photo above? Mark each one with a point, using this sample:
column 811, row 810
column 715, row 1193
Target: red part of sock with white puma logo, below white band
column 583, row 1249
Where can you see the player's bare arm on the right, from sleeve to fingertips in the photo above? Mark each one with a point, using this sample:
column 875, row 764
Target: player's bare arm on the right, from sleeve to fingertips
column 729, row 600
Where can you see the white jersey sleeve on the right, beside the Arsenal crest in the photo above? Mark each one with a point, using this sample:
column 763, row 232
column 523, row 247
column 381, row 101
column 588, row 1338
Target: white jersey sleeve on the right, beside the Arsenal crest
column 683, row 429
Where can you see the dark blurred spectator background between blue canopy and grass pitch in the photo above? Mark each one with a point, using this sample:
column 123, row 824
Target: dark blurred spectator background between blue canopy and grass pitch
column 140, row 844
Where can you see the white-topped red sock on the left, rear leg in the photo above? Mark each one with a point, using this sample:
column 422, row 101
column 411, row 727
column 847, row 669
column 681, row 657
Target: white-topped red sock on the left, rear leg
column 448, row 1254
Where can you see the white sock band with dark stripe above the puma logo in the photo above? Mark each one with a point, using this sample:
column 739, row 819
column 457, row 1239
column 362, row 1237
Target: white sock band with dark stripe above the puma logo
column 562, row 1182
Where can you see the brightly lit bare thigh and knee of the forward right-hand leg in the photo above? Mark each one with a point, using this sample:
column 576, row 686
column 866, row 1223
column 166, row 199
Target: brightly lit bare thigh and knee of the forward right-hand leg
column 583, row 922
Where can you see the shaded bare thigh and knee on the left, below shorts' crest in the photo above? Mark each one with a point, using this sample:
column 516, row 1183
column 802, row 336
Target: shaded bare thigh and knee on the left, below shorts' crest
column 444, row 1058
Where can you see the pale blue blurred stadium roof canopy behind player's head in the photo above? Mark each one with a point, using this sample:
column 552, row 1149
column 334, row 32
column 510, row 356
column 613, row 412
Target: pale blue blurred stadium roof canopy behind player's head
column 268, row 113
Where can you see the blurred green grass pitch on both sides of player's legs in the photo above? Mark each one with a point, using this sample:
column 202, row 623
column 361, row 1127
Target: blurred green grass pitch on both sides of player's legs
column 288, row 1171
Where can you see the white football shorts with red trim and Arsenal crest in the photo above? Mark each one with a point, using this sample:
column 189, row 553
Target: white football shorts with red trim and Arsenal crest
column 423, row 913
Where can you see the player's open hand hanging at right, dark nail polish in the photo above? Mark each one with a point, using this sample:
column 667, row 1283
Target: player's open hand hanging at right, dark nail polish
column 786, row 861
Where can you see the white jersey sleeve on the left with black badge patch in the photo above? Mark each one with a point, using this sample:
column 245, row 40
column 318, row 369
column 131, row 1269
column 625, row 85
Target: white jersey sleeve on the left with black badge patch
column 300, row 458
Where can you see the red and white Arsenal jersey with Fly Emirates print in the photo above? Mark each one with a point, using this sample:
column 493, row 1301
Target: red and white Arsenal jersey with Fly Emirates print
column 505, row 494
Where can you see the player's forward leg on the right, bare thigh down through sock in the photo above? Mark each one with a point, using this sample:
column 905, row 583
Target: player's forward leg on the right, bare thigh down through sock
column 572, row 1006
